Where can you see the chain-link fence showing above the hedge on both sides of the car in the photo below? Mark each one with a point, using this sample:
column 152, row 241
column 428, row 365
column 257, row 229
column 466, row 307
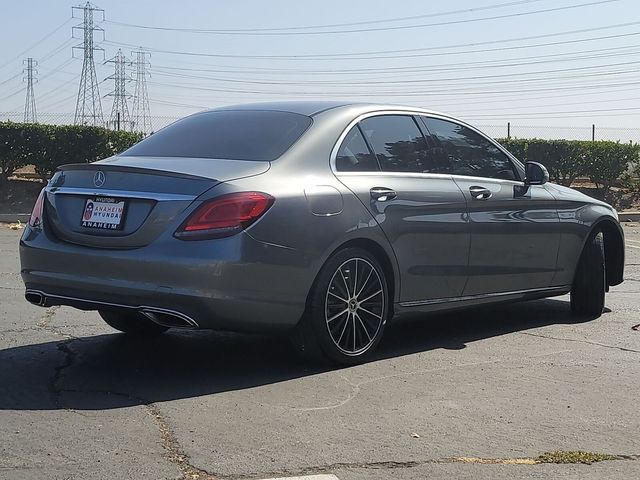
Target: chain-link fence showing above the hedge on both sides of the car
column 503, row 130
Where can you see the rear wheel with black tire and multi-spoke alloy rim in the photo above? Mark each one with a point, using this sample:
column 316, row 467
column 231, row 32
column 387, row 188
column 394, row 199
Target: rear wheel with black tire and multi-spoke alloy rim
column 325, row 334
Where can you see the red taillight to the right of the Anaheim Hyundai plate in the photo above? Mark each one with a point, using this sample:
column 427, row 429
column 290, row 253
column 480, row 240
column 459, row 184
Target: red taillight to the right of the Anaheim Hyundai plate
column 224, row 216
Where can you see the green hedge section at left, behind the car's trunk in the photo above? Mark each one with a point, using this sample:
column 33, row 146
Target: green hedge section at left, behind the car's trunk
column 48, row 146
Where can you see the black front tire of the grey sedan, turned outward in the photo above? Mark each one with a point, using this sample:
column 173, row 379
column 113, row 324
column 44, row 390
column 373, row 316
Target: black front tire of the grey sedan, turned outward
column 589, row 283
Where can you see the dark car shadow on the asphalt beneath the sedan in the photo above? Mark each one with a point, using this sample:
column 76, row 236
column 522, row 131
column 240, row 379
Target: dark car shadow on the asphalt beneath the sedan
column 114, row 370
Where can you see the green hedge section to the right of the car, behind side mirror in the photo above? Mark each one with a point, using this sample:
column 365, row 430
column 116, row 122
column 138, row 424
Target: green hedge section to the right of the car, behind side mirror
column 604, row 163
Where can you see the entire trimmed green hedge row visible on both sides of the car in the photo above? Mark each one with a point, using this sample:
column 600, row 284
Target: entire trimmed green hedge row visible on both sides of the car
column 48, row 146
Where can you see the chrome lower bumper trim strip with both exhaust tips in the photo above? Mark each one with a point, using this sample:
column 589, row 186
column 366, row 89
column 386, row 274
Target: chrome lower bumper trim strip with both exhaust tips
column 161, row 316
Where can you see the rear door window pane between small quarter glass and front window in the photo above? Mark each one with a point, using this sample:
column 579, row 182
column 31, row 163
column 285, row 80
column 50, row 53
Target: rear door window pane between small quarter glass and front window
column 398, row 143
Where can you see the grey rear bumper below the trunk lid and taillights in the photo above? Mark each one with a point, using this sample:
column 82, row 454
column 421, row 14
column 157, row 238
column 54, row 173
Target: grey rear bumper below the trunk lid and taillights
column 236, row 283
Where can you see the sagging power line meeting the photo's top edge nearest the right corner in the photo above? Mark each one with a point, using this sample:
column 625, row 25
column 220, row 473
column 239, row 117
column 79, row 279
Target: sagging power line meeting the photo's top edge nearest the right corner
column 373, row 29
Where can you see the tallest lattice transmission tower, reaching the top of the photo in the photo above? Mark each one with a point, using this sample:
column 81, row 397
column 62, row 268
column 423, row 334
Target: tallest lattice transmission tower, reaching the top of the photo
column 88, row 106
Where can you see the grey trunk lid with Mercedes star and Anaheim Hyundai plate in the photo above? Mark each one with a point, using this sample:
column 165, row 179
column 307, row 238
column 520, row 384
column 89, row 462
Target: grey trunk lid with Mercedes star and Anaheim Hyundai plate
column 127, row 202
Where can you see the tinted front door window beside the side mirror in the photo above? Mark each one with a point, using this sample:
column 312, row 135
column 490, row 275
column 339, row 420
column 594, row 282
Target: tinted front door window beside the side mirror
column 468, row 152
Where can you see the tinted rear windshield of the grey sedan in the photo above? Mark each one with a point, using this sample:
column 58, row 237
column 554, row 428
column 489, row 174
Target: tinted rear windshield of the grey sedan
column 234, row 135
